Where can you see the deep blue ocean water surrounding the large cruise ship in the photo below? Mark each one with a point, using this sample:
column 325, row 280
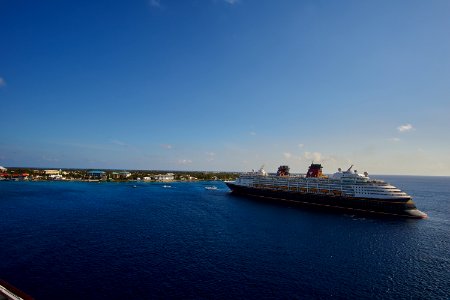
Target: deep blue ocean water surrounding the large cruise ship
column 78, row 240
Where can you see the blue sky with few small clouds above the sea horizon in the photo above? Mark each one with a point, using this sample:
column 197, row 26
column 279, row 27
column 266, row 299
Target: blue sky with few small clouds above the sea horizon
column 226, row 84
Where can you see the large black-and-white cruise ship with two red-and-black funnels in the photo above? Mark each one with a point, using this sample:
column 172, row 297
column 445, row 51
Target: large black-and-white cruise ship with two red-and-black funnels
column 344, row 190
